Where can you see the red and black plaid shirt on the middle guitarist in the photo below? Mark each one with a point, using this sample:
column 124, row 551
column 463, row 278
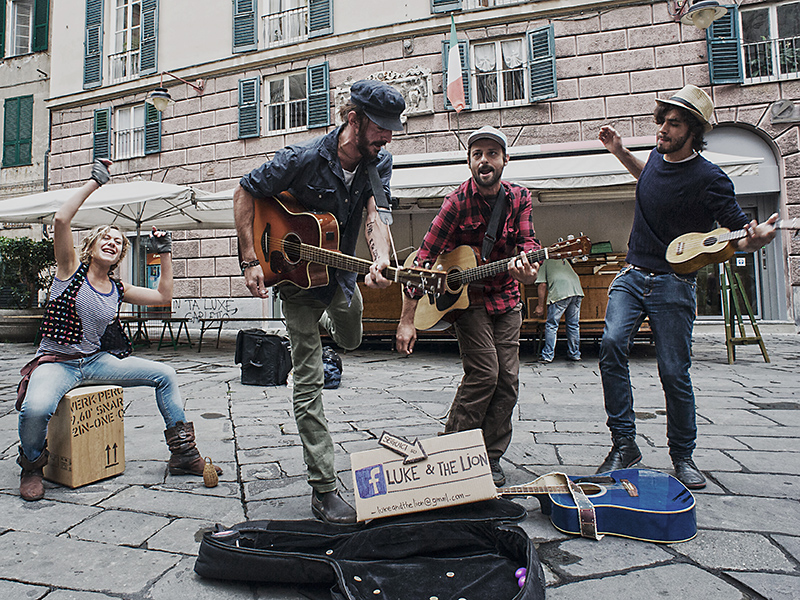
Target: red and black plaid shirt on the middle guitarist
column 463, row 218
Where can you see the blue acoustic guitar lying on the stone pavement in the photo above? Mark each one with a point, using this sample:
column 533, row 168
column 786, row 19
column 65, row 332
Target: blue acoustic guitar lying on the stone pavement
column 634, row 503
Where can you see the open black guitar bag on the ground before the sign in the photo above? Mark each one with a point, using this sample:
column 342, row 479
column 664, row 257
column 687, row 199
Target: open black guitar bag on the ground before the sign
column 470, row 551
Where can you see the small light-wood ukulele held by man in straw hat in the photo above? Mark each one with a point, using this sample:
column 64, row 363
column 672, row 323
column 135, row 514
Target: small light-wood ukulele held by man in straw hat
column 692, row 251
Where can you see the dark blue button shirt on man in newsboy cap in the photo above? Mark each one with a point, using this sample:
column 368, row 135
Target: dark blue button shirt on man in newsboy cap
column 312, row 173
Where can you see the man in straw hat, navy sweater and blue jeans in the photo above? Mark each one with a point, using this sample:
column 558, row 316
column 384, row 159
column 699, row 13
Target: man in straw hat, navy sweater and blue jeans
column 677, row 191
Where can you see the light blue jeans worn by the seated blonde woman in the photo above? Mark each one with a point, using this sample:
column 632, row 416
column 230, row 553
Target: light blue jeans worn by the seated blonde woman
column 50, row 381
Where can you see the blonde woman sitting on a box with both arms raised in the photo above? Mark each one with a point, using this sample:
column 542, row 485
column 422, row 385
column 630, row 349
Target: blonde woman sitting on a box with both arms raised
column 75, row 347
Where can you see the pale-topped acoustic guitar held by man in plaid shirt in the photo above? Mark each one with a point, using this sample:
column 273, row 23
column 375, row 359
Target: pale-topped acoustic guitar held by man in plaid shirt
column 462, row 267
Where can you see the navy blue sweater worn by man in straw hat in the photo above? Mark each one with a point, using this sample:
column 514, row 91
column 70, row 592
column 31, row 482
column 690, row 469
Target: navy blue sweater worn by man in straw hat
column 677, row 198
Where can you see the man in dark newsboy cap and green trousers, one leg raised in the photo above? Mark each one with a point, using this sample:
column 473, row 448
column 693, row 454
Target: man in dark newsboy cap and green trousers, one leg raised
column 329, row 174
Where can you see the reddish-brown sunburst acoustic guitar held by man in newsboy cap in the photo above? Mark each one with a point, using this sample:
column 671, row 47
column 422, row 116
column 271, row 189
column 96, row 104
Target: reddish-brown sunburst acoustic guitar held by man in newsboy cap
column 297, row 246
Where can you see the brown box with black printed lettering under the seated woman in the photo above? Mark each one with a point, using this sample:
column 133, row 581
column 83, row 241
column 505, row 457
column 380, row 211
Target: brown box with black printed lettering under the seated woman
column 86, row 436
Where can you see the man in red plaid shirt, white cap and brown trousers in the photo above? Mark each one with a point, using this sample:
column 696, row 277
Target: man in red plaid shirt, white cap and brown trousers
column 488, row 331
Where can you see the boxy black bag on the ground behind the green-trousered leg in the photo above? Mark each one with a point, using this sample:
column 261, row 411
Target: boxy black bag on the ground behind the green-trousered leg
column 265, row 358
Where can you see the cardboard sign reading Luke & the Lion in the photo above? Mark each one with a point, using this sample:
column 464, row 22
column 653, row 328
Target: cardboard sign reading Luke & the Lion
column 456, row 471
